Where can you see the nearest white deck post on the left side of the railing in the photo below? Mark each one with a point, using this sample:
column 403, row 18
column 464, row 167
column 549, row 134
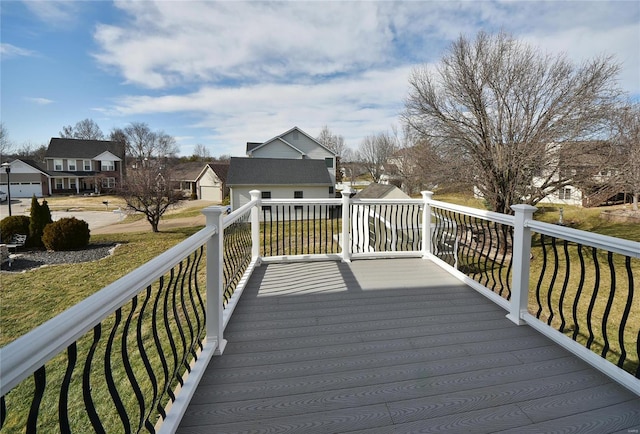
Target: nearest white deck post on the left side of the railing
column 215, row 285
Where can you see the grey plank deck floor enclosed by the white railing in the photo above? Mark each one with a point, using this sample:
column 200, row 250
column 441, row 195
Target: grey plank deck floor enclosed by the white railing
column 393, row 346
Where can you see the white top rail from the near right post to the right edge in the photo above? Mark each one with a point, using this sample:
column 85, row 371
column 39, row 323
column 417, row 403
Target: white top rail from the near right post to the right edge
column 604, row 242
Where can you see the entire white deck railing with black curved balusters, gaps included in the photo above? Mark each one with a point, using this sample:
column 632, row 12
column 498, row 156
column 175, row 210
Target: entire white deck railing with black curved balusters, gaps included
column 134, row 352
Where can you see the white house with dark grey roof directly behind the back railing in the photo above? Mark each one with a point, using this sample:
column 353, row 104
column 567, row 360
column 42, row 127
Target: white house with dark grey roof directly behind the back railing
column 280, row 178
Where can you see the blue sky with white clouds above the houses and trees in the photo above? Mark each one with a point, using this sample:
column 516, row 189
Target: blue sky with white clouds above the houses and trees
column 225, row 73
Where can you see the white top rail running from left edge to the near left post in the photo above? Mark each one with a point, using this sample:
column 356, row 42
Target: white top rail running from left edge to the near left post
column 29, row 352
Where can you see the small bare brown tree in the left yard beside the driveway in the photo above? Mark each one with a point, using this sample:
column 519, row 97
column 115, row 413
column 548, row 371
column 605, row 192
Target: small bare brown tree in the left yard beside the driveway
column 148, row 190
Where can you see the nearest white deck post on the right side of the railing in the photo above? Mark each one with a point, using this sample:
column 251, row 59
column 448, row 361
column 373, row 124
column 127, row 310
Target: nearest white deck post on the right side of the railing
column 521, row 259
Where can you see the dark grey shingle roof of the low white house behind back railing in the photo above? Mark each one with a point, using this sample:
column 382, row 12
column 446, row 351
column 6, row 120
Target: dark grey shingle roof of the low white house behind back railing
column 277, row 171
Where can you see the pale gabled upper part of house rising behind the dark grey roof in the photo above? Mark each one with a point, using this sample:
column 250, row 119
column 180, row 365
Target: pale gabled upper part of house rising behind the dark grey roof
column 295, row 144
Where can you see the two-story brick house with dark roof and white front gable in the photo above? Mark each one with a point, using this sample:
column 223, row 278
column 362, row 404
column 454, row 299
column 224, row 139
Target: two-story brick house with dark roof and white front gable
column 78, row 165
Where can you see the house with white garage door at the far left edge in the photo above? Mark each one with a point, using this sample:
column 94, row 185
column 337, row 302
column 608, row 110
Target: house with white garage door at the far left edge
column 27, row 178
